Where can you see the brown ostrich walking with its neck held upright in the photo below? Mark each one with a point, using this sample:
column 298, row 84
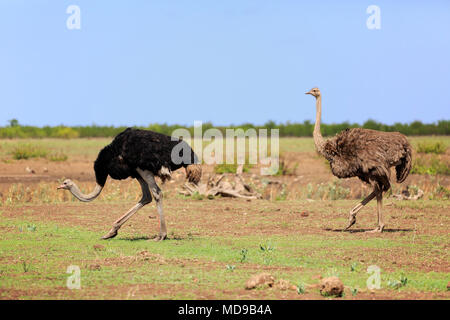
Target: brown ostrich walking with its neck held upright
column 366, row 154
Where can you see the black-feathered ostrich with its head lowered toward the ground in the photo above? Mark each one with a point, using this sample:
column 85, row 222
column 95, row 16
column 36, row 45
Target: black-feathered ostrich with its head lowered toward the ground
column 140, row 154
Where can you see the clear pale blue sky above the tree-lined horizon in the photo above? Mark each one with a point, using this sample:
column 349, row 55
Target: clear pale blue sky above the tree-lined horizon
column 228, row 62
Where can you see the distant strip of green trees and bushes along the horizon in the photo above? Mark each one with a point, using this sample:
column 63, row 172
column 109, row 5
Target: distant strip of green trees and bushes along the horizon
column 15, row 130
